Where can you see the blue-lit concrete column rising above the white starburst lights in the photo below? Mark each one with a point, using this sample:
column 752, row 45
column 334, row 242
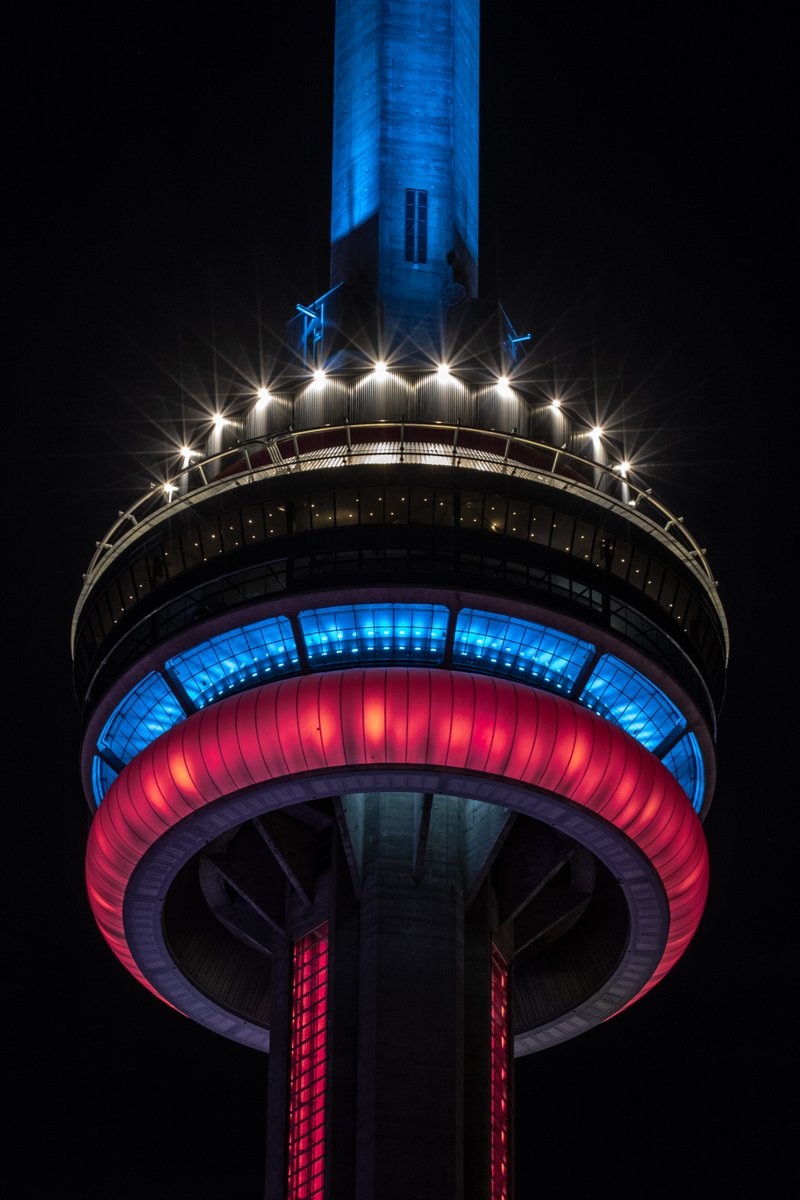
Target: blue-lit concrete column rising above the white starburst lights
column 405, row 177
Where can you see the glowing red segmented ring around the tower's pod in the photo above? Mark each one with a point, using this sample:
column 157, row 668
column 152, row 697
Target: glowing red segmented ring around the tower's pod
column 411, row 718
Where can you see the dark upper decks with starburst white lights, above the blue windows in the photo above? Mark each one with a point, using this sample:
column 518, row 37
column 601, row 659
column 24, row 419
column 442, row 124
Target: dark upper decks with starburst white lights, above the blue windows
column 454, row 489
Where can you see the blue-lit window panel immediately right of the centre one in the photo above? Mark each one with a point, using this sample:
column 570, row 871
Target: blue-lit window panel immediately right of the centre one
column 520, row 649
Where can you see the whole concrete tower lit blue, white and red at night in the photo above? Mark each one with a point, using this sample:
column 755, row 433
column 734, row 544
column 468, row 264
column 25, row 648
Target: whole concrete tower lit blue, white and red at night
column 400, row 699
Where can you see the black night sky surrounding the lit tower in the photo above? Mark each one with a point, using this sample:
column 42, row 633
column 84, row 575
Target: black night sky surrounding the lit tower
column 170, row 207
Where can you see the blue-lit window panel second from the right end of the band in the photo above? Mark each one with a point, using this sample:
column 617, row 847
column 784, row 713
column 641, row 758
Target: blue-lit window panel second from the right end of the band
column 625, row 698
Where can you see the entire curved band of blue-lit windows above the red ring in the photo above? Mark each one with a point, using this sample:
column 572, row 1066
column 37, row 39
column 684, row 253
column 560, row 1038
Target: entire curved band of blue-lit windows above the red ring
column 399, row 633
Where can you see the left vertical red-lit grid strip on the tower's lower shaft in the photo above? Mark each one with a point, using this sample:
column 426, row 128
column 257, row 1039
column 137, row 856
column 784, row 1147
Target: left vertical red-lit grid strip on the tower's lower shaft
column 308, row 1065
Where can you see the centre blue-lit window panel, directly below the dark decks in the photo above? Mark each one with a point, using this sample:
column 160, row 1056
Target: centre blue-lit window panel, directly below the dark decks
column 400, row 633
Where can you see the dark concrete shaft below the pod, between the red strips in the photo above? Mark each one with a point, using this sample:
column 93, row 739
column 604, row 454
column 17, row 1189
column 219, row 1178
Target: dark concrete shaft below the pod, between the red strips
column 408, row 1094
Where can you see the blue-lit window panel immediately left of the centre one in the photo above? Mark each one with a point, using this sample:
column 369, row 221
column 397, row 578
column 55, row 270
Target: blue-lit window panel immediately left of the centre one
column 236, row 661
